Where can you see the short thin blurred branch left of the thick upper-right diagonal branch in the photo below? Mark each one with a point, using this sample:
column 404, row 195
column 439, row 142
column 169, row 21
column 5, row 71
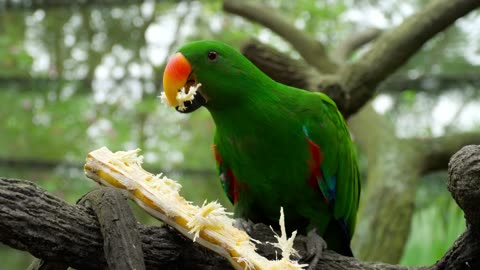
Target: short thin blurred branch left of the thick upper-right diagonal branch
column 355, row 42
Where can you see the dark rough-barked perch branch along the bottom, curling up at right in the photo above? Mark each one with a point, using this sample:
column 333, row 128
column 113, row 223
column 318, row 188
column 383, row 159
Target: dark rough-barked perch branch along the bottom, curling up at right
column 35, row 221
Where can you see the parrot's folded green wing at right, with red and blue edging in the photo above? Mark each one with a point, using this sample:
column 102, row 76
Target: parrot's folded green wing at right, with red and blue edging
column 336, row 168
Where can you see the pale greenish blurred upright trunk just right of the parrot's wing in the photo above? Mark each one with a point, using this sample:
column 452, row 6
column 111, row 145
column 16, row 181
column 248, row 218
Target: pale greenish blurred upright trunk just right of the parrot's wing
column 388, row 200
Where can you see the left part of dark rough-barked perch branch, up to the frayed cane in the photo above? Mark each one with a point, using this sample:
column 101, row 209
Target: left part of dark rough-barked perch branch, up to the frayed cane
column 49, row 228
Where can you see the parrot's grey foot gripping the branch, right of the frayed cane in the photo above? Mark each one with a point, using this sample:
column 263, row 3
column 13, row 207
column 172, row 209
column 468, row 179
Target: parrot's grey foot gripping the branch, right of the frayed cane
column 314, row 247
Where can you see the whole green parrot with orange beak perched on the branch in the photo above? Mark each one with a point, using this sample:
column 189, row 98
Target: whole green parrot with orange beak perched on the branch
column 275, row 145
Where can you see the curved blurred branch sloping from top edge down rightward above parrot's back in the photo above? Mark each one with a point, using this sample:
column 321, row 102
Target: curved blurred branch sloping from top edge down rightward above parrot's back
column 310, row 49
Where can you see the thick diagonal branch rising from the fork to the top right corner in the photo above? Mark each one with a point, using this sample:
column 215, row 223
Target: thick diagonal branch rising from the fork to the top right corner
column 394, row 47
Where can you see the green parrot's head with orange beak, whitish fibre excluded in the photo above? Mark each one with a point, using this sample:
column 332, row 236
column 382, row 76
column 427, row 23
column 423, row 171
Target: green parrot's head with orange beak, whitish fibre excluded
column 225, row 75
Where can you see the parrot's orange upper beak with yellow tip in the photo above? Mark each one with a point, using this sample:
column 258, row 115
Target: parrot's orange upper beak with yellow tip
column 175, row 77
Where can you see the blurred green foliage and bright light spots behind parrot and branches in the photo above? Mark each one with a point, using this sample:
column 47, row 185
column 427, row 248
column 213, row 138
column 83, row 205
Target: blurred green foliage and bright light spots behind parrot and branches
column 75, row 77
